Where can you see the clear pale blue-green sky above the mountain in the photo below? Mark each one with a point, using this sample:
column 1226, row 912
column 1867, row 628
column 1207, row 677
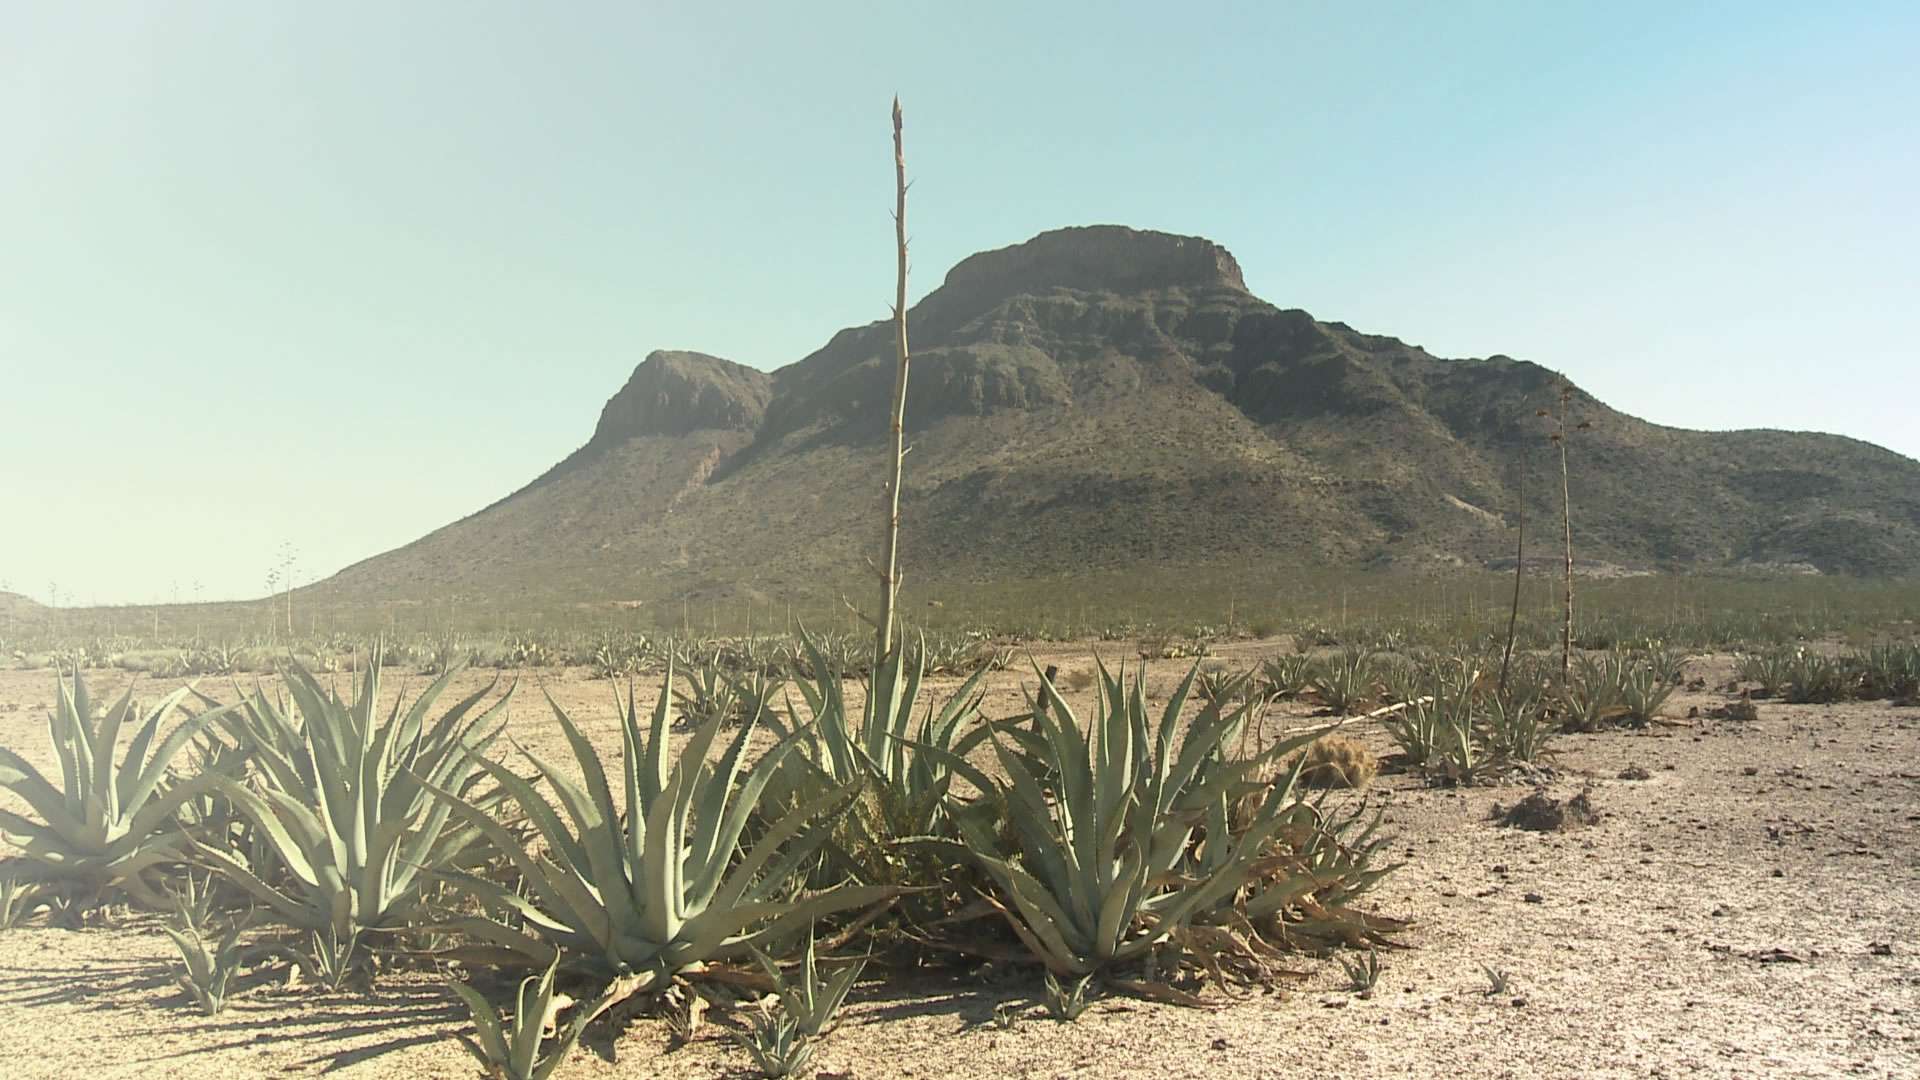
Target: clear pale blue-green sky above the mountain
column 289, row 285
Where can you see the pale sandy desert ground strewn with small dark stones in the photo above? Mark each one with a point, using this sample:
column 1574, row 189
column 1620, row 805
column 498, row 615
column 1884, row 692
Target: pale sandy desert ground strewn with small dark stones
column 1744, row 912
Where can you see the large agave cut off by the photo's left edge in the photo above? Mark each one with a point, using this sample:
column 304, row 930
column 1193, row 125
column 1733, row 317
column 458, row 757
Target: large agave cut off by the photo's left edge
column 108, row 823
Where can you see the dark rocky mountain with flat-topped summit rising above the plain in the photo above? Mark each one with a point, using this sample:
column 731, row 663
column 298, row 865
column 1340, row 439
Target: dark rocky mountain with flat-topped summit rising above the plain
column 1111, row 399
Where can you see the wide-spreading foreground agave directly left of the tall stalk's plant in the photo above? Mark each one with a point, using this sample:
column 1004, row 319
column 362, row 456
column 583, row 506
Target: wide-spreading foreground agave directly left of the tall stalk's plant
column 663, row 887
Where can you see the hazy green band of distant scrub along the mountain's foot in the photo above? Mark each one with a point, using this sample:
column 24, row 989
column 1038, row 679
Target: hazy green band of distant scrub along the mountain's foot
column 1729, row 612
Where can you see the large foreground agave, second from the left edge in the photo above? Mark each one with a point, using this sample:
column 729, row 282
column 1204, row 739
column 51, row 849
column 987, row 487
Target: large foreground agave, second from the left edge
column 345, row 804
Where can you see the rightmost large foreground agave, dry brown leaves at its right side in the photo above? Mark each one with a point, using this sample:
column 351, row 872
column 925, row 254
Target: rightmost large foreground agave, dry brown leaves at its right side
column 1103, row 864
